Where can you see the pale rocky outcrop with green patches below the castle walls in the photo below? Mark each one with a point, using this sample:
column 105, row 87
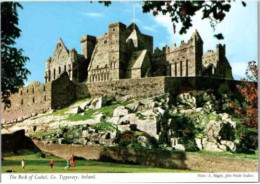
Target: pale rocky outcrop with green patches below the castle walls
column 189, row 122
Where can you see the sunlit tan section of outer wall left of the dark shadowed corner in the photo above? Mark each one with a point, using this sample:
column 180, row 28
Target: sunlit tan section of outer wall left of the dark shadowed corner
column 29, row 100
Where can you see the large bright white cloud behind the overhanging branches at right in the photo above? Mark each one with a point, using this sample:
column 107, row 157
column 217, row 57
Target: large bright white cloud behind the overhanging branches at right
column 240, row 40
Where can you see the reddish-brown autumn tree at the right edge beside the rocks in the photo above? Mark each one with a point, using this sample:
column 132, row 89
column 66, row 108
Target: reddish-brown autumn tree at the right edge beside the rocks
column 249, row 90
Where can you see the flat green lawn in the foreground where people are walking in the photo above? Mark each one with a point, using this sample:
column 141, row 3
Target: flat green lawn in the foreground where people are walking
column 33, row 164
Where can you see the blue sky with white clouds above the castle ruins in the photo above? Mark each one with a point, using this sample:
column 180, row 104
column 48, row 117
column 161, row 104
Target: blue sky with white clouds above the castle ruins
column 43, row 23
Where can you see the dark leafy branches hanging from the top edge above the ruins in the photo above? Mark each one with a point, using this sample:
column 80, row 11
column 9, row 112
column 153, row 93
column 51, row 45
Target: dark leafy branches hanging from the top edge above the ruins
column 183, row 11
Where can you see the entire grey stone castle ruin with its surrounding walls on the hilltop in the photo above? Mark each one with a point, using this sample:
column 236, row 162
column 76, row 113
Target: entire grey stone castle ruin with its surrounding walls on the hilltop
column 120, row 62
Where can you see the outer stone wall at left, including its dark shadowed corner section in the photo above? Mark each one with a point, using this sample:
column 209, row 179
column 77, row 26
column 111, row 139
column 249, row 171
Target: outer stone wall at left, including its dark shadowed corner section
column 37, row 98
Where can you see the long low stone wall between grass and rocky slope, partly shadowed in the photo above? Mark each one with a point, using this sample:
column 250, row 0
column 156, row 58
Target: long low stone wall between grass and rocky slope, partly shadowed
column 162, row 158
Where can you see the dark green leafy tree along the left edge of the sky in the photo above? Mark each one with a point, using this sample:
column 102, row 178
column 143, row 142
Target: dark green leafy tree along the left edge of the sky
column 13, row 69
